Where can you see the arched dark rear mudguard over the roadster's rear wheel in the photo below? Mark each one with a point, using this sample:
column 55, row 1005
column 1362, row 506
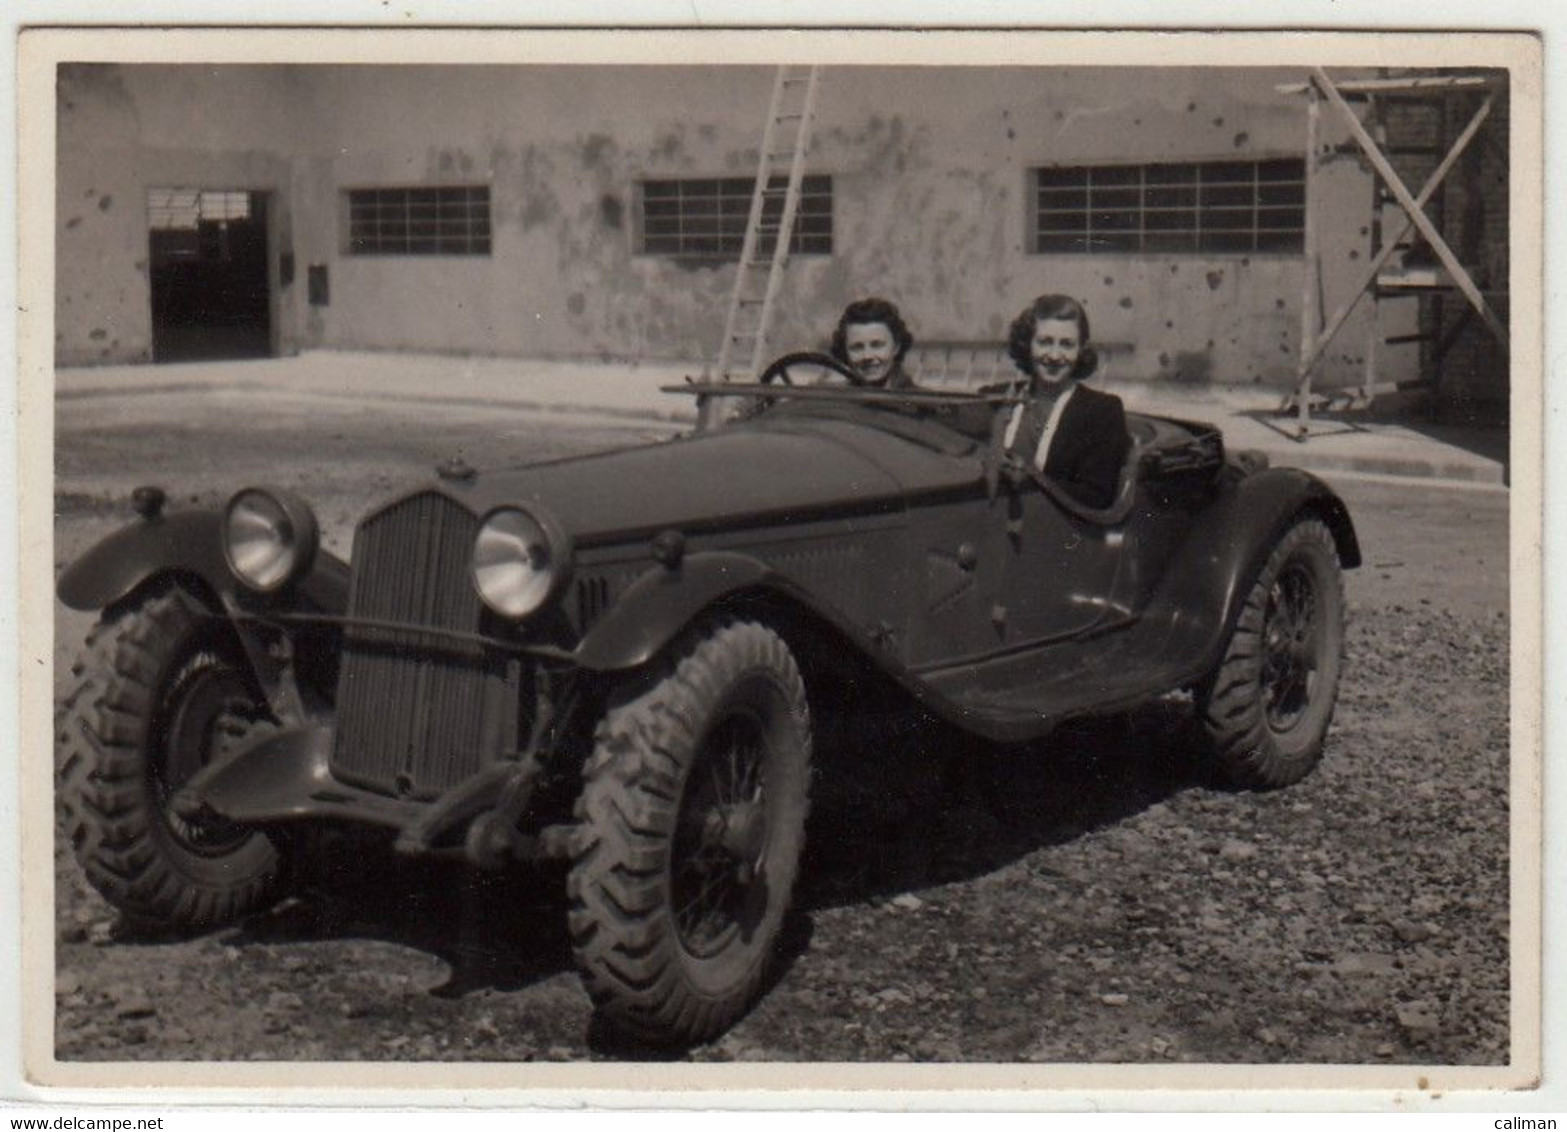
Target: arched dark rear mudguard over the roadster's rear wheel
column 1207, row 582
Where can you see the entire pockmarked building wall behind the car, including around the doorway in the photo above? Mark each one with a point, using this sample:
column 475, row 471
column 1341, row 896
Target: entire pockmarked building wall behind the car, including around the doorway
column 930, row 183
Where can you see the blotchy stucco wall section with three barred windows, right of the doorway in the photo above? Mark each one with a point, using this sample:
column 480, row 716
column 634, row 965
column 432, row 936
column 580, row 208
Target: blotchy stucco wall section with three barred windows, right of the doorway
column 930, row 183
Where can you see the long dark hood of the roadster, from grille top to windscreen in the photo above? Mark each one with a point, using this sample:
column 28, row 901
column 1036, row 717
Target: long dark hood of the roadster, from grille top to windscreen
column 734, row 477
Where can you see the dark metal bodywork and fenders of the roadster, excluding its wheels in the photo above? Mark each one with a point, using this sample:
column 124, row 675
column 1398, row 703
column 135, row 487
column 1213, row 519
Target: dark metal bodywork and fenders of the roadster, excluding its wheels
column 888, row 535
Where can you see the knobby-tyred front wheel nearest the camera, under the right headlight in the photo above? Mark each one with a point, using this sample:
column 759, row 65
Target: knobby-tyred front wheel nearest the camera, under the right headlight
column 693, row 821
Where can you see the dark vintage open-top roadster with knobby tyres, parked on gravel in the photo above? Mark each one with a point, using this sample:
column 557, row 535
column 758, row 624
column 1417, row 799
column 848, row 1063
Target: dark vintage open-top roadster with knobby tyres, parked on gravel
column 618, row 659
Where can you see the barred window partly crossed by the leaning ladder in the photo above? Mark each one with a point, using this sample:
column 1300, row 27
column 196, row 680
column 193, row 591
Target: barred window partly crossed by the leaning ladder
column 708, row 217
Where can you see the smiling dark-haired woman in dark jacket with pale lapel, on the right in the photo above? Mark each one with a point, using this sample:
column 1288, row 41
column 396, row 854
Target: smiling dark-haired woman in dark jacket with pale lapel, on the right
column 1060, row 427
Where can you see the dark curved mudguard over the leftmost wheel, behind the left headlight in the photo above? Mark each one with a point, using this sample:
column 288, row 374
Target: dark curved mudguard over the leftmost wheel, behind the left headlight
column 190, row 545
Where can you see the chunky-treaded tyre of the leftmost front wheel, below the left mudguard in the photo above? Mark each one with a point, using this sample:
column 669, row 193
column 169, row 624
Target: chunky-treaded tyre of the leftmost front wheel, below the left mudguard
column 159, row 694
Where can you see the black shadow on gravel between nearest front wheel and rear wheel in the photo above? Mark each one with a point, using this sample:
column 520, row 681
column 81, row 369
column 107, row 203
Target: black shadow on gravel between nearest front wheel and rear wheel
column 946, row 808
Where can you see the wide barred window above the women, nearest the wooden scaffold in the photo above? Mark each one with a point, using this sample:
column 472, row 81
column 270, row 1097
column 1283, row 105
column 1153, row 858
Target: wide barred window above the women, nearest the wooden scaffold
column 1171, row 208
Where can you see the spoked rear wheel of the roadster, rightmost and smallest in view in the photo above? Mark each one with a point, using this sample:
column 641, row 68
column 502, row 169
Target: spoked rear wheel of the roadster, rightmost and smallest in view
column 1268, row 705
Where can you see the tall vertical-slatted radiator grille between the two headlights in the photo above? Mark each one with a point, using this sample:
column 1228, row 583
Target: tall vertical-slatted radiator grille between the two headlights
column 419, row 713
